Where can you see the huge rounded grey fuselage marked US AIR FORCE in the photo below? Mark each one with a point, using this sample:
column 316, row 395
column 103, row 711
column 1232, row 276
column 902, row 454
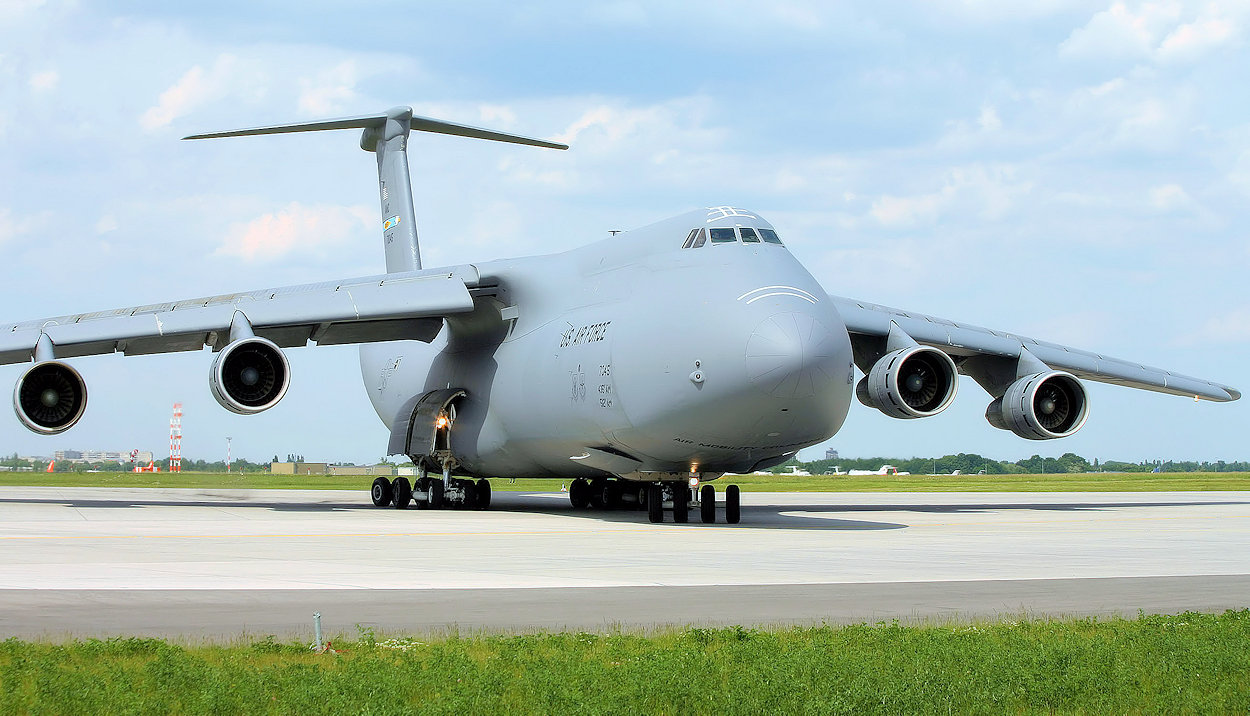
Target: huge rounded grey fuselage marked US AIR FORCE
column 717, row 359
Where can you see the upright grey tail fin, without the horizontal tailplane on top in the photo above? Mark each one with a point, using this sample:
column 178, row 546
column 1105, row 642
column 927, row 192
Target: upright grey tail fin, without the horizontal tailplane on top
column 396, row 189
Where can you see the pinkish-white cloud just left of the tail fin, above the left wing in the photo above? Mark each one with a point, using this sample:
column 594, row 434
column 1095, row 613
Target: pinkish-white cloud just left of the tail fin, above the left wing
column 297, row 229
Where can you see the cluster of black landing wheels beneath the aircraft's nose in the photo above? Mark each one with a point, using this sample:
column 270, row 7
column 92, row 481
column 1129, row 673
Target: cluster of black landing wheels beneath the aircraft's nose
column 656, row 498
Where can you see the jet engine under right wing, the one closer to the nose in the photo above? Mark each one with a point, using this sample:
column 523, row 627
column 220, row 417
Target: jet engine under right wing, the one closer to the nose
column 918, row 382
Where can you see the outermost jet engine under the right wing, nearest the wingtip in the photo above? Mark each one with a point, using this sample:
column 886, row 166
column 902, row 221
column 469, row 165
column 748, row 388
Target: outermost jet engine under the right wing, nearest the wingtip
column 1042, row 407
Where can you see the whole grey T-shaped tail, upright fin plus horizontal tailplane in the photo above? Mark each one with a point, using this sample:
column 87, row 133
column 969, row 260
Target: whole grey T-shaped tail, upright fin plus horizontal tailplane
column 387, row 136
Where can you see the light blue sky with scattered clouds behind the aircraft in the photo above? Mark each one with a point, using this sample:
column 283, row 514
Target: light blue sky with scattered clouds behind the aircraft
column 1068, row 171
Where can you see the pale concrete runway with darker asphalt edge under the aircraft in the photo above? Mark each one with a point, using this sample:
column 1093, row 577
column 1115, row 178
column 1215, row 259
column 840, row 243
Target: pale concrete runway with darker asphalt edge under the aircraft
column 226, row 563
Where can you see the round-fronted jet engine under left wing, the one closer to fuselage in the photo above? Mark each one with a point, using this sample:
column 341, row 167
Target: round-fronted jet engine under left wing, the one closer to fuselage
column 251, row 375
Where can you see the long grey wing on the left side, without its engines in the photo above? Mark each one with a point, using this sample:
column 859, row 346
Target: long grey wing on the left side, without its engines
column 394, row 307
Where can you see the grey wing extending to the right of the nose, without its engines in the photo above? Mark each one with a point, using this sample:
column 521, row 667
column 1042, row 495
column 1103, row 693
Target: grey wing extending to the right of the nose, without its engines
column 977, row 351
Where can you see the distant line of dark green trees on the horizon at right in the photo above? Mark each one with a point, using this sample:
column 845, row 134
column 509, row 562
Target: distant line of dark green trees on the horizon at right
column 973, row 464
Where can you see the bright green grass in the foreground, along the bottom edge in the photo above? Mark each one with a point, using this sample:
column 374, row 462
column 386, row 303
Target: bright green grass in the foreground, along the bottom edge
column 1187, row 664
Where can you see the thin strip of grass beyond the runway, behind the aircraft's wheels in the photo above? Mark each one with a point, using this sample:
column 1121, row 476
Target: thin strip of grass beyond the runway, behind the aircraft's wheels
column 1072, row 483
